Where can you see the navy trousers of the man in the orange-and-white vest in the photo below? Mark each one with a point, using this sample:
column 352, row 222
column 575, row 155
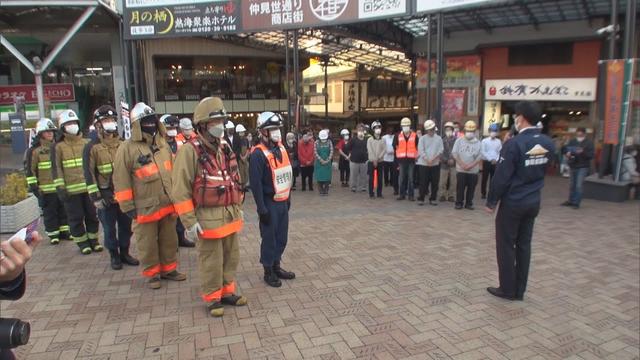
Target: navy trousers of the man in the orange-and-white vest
column 275, row 233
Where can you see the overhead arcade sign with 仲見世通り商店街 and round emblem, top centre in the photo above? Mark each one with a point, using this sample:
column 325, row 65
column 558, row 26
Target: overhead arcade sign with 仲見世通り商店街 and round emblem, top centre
column 282, row 14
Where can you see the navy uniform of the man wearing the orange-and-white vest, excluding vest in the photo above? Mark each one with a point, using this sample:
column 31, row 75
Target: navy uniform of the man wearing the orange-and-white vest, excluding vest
column 275, row 231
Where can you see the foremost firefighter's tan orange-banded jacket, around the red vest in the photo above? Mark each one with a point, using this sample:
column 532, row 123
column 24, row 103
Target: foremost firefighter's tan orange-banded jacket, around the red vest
column 219, row 221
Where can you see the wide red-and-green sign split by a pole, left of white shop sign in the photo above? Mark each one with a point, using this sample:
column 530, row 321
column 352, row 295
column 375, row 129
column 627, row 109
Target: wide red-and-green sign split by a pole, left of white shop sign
column 462, row 71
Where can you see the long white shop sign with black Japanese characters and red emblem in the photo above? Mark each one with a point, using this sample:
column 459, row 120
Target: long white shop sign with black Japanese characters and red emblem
column 561, row 89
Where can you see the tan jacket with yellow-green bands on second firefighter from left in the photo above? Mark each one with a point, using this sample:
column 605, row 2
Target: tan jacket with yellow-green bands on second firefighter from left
column 66, row 159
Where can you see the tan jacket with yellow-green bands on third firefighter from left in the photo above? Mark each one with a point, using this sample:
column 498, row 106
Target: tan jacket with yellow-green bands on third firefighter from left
column 98, row 159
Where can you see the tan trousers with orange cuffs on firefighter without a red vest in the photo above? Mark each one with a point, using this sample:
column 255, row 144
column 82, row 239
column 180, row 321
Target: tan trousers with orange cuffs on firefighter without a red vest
column 157, row 245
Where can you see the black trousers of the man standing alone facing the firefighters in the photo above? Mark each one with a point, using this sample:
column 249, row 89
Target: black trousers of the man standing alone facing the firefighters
column 514, row 228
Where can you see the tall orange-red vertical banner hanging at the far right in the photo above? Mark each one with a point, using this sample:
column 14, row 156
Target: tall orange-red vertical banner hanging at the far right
column 613, row 105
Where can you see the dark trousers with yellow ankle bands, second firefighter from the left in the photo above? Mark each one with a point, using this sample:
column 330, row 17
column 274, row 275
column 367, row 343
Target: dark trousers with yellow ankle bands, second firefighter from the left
column 82, row 217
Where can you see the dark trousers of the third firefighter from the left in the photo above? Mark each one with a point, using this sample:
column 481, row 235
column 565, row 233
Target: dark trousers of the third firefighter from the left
column 116, row 227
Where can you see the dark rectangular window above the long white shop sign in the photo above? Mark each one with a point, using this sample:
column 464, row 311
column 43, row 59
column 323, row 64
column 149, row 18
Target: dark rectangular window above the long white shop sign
column 541, row 54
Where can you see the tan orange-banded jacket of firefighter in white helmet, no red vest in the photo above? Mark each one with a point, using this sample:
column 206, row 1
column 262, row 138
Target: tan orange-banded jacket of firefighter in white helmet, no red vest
column 142, row 175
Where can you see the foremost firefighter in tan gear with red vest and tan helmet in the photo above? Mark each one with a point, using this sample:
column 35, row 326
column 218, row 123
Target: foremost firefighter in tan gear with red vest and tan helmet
column 208, row 196
